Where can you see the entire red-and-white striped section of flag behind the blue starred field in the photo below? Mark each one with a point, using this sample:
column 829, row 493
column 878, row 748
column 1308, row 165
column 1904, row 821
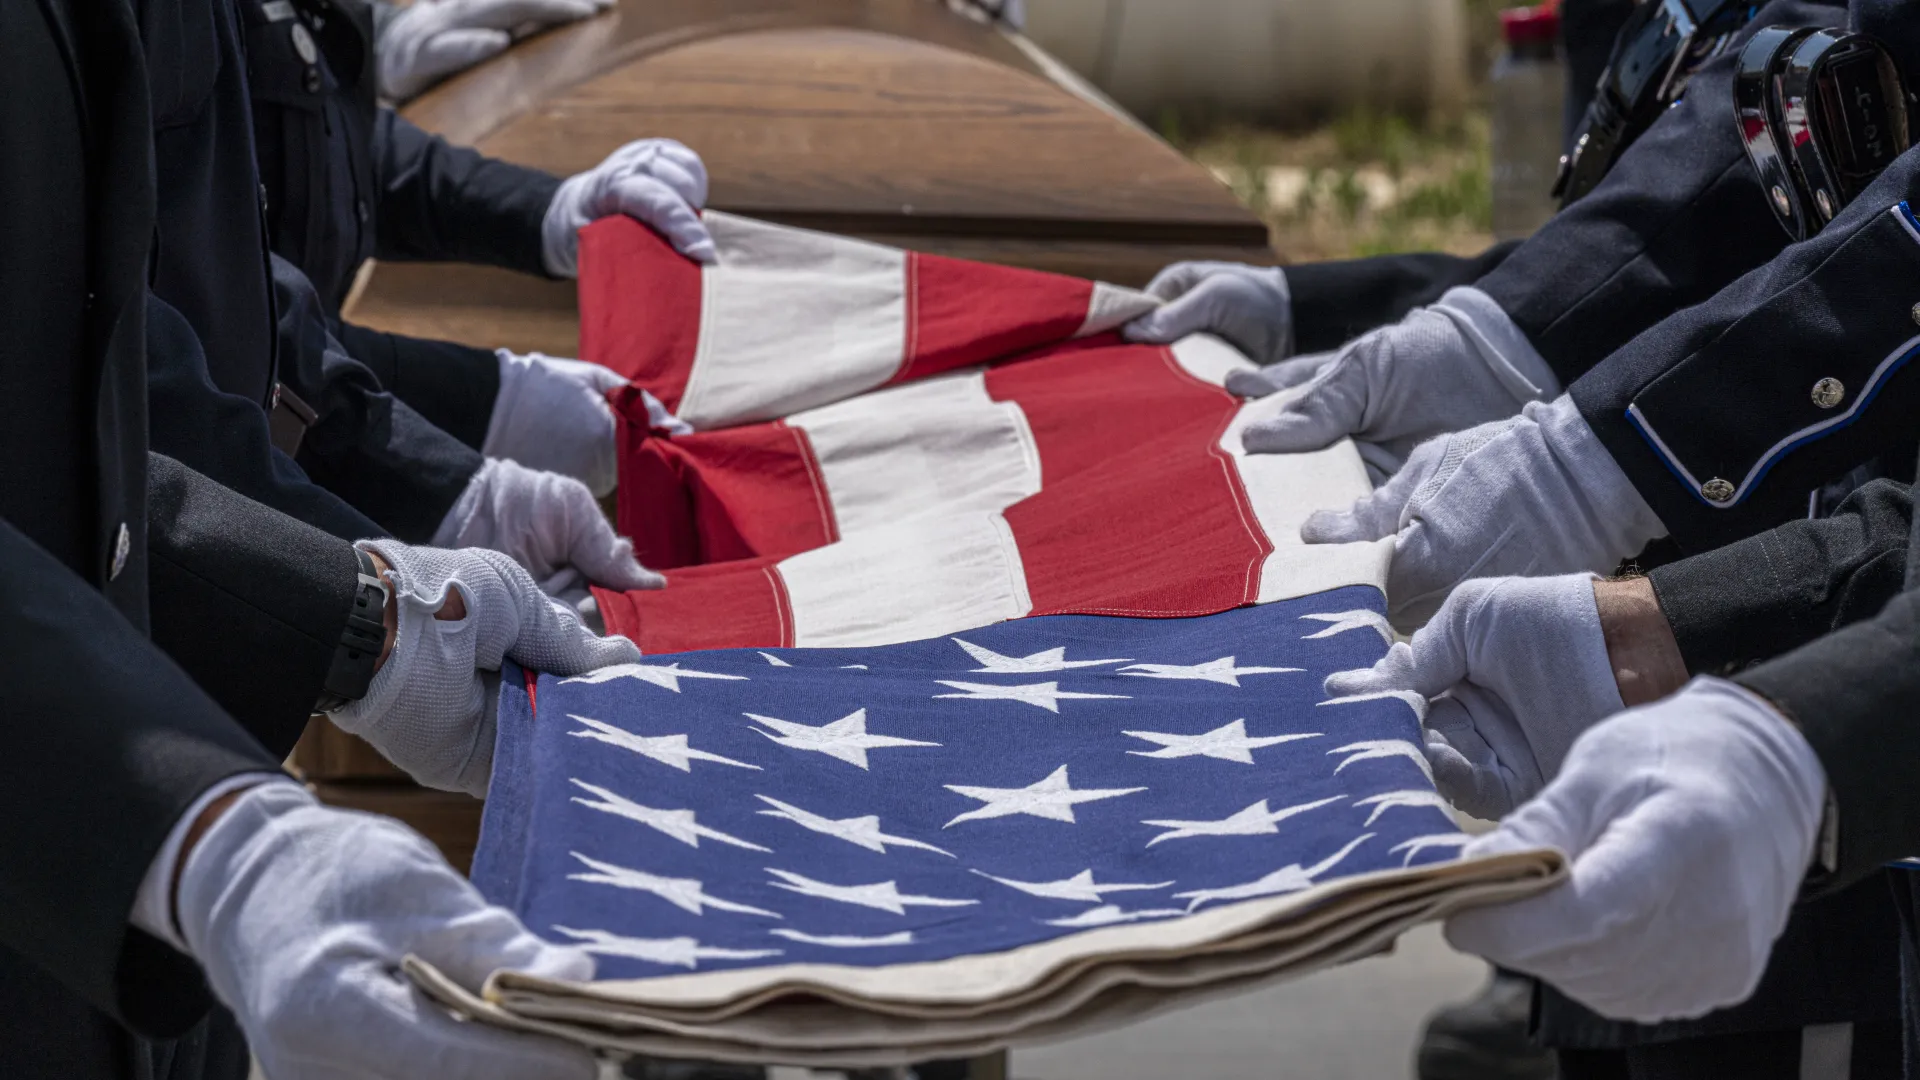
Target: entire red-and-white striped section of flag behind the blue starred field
column 955, row 445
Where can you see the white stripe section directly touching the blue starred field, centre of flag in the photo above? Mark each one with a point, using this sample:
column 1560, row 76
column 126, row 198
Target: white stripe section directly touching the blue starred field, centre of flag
column 961, row 572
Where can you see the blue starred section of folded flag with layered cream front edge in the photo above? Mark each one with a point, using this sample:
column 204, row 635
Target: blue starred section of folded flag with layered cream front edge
column 946, row 847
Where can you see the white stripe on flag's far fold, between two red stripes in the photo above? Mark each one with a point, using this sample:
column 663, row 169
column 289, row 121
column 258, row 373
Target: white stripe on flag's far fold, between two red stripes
column 792, row 320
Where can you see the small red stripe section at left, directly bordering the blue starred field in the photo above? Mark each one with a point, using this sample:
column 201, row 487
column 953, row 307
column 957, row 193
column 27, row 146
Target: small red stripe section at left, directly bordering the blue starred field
column 704, row 608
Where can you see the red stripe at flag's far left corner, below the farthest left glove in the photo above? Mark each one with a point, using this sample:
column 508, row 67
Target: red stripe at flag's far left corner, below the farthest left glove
column 640, row 307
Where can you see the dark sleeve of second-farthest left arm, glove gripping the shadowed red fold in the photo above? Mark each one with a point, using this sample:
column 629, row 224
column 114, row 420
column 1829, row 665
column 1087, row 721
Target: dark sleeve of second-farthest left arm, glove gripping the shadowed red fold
column 450, row 385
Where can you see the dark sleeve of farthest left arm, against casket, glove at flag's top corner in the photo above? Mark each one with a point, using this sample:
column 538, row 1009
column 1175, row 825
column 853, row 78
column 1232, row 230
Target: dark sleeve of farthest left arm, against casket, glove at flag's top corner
column 443, row 203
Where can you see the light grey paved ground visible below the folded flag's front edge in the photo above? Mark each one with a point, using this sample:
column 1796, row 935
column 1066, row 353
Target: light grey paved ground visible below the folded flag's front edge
column 1353, row 1023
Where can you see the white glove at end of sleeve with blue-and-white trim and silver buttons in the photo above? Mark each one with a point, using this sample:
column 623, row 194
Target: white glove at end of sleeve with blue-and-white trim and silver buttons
column 1535, row 495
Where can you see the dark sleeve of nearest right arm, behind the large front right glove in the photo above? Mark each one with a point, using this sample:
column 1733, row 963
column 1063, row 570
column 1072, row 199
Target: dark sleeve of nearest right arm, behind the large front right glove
column 1856, row 695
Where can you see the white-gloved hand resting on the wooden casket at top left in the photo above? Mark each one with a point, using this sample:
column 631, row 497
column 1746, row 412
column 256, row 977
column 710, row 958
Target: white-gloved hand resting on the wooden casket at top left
column 431, row 39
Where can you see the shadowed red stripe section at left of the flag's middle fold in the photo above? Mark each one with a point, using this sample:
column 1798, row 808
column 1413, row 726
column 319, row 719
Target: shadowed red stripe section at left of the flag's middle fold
column 725, row 495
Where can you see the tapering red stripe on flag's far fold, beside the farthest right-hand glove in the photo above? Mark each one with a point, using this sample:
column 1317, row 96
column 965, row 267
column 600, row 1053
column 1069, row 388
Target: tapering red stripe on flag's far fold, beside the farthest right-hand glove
column 961, row 314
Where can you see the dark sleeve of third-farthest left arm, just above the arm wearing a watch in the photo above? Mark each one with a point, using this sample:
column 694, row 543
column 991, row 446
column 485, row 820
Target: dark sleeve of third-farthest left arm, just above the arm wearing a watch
column 366, row 445
